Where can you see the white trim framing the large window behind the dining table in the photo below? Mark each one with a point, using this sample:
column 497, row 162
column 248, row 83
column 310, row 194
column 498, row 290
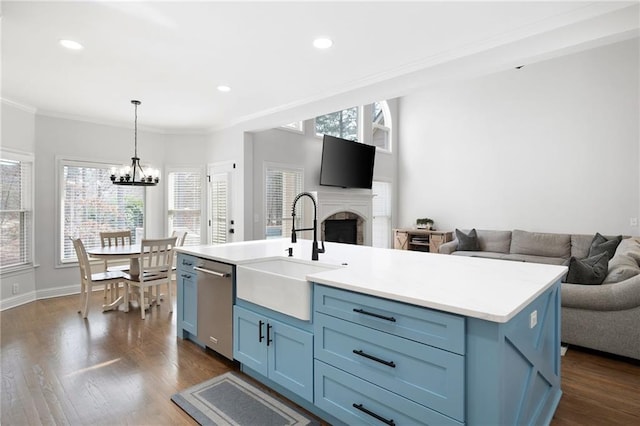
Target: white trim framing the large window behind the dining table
column 62, row 161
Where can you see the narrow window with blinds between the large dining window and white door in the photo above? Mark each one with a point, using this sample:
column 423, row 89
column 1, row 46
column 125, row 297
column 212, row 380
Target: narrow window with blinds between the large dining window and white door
column 184, row 208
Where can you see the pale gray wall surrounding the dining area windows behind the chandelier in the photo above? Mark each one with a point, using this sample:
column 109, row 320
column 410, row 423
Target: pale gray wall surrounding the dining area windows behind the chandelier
column 51, row 138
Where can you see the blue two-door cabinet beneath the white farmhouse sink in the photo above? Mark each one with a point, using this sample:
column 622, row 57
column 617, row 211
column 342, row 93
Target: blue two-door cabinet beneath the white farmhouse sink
column 274, row 349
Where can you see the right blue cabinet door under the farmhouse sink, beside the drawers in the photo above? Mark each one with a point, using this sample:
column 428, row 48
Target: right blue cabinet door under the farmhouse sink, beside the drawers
column 291, row 358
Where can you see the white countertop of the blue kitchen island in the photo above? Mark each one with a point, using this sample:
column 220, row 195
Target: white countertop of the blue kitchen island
column 494, row 290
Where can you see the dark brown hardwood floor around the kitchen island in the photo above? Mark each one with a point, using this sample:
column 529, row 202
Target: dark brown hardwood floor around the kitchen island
column 115, row 368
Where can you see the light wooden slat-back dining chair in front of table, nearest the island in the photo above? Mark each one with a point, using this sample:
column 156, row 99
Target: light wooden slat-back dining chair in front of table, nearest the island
column 156, row 260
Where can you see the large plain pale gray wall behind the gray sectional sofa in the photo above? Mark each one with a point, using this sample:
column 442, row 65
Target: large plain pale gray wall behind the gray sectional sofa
column 551, row 147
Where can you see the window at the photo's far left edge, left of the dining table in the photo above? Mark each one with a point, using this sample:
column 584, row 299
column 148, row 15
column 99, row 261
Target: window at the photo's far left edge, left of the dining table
column 16, row 210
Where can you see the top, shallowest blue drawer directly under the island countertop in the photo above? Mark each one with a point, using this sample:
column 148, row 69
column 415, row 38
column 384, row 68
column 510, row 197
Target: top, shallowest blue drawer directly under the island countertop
column 435, row 328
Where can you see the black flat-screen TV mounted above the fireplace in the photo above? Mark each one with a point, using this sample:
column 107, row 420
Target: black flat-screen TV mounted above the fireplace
column 346, row 163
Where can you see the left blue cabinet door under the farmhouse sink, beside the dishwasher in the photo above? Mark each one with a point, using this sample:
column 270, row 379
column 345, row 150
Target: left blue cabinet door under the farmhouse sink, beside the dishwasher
column 249, row 339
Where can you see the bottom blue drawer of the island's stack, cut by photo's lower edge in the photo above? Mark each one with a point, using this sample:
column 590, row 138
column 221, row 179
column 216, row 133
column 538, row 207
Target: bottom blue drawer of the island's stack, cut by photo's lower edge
column 356, row 401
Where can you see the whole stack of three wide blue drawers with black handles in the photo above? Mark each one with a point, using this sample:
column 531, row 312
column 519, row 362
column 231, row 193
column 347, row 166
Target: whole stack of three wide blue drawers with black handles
column 378, row 360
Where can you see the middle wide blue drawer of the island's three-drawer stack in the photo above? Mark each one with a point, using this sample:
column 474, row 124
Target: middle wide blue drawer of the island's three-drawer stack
column 429, row 376
